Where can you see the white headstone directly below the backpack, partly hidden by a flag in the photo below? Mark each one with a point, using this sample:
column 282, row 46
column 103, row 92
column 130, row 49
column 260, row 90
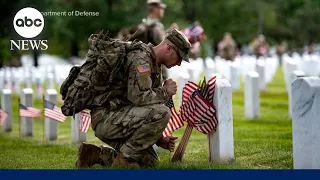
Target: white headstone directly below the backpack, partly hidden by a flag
column 77, row 135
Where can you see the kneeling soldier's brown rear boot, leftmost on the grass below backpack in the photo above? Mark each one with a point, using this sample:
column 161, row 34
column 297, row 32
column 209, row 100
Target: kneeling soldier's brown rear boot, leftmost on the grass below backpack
column 89, row 155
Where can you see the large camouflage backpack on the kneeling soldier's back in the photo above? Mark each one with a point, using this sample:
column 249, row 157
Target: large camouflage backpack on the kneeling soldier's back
column 89, row 85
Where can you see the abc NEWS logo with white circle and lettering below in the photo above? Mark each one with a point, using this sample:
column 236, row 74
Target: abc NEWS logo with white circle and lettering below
column 28, row 23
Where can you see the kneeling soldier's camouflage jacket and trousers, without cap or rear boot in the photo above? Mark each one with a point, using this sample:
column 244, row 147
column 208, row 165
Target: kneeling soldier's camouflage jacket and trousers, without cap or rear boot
column 127, row 128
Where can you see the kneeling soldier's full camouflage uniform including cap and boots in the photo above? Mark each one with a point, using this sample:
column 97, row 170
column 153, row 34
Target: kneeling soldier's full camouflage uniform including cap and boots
column 136, row 116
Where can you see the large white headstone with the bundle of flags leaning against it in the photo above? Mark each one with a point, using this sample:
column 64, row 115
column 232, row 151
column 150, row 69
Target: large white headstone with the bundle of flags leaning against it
column 221, row 145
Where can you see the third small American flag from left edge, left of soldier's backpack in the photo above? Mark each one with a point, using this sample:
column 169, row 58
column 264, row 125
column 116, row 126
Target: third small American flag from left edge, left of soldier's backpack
column 52, row 111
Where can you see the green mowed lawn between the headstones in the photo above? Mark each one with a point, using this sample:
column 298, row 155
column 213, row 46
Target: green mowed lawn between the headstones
column 263, row 143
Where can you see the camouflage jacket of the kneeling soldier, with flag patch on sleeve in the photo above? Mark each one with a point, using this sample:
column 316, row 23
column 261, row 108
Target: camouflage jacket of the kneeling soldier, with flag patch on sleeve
column 140, row 81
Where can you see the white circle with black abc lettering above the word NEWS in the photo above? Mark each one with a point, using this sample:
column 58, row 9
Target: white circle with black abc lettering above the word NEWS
column 28, row 22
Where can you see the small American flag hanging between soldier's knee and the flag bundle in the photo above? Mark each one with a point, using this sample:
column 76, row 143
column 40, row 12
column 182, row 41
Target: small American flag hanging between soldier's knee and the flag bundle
column 175, row 122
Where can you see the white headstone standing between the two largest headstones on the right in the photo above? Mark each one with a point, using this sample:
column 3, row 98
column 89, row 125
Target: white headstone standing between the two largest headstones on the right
column 252, row 95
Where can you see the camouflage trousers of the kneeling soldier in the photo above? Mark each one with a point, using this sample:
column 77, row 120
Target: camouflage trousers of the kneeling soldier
column 133, row 130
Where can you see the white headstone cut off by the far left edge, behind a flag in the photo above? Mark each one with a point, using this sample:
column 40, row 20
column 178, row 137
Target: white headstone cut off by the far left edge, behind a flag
column 6, row 105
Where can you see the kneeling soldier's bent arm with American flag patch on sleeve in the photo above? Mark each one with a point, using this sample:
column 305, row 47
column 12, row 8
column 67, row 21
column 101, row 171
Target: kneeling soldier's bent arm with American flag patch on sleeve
column 140, row 90
